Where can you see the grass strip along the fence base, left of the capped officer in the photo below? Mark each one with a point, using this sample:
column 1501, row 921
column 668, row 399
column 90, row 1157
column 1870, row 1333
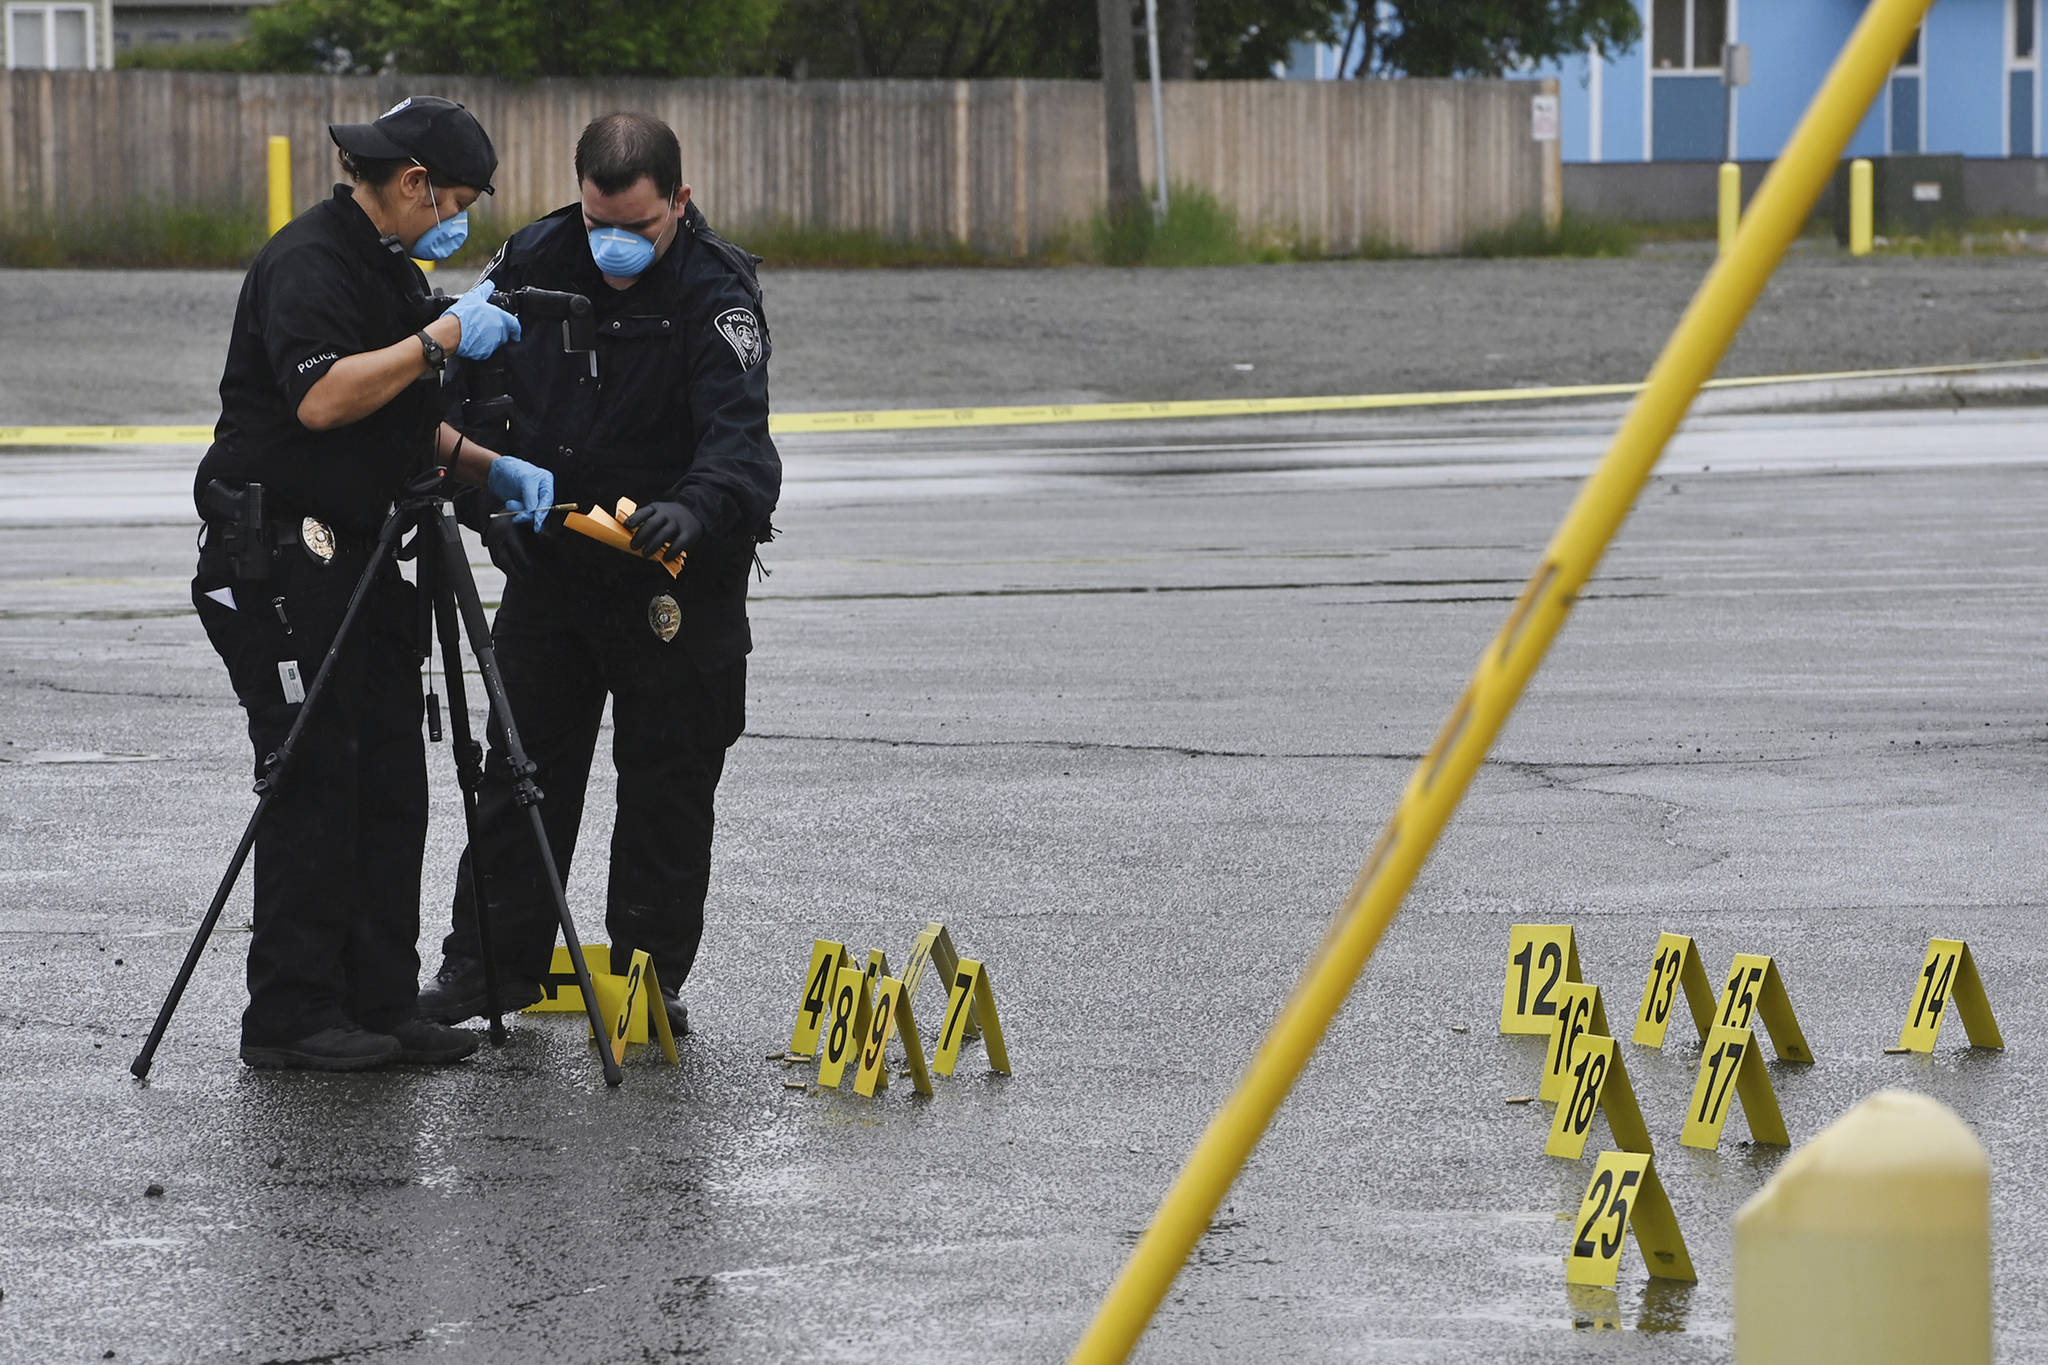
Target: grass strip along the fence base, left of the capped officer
column 138, row 236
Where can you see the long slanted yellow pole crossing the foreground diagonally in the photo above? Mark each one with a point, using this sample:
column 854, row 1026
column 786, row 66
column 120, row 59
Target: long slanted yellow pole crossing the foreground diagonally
column 1439, row 783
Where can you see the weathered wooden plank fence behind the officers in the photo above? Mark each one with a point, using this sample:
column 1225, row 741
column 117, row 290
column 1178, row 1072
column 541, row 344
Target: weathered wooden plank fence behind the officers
column 1000, row 165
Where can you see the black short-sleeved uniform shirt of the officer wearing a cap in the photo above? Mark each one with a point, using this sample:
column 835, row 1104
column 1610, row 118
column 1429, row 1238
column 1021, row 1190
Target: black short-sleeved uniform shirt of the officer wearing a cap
column 325, row 288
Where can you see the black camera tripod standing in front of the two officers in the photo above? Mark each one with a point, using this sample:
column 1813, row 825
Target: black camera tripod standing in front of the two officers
column 450, row 595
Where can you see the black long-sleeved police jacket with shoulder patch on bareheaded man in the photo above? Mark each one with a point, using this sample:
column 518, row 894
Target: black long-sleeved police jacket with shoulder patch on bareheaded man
column 677, row 412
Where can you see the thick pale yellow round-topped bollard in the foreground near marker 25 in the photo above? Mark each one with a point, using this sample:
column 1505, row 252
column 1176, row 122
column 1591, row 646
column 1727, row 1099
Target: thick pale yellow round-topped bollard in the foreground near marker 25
column 1871, row 1245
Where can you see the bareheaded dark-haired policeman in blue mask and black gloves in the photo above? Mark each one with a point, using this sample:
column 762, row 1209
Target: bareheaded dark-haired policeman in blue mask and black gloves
column 675, row 419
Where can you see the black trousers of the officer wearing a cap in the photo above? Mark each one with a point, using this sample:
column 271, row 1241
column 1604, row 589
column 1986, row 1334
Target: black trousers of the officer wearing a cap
column 339, row 850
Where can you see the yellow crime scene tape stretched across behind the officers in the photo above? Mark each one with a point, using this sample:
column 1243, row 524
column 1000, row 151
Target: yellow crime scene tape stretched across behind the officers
column 1052, row 414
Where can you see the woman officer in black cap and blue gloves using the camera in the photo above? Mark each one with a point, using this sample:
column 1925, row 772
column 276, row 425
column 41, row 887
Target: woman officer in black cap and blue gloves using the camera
column 327, row 414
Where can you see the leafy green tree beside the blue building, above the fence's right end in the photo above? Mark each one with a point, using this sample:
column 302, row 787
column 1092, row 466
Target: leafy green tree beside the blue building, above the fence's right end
column 1482, row 38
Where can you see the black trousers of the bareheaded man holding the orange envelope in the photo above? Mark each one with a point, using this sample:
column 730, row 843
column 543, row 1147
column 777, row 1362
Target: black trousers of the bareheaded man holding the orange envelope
column 564, row 646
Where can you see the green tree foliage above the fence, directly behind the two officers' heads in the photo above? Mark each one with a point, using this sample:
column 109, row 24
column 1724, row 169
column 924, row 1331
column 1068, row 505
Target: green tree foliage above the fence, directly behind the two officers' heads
column 513, row 38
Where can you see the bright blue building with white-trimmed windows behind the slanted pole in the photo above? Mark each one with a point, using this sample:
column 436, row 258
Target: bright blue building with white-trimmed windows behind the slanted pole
column 1969, row 85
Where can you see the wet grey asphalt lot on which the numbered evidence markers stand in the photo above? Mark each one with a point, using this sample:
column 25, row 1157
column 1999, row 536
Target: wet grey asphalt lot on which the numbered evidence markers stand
column 1125, row 709
